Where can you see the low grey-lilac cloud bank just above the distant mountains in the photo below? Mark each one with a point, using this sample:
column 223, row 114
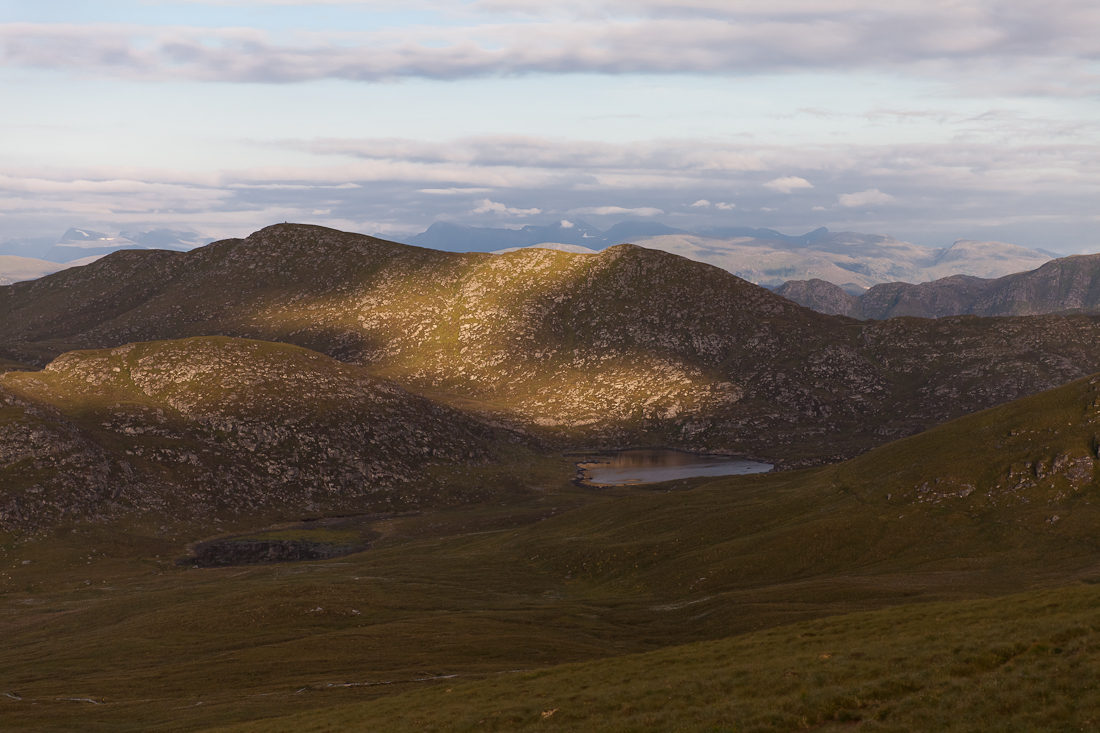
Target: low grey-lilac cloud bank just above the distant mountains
column 1033, row 193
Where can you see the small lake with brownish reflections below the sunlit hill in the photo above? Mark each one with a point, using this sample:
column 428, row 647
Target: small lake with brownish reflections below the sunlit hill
column 656, row 465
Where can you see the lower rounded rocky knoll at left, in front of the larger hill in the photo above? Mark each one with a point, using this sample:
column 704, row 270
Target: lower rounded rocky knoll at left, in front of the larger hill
column 217, row 425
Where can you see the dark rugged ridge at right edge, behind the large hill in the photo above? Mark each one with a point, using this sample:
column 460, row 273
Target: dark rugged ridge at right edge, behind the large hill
column 1062, row 286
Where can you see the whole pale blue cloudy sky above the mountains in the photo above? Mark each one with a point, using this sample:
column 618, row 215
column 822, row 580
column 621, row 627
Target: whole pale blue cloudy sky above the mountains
column 931, row 121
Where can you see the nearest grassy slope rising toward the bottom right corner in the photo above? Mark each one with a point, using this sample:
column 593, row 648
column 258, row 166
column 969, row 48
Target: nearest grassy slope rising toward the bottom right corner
column 1019, row 663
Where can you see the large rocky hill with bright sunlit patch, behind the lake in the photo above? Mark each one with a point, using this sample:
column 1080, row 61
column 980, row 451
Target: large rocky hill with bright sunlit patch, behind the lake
column 626, row 347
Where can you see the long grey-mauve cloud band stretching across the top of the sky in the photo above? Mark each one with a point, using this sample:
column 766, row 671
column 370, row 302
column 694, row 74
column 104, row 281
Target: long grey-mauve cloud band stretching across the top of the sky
column 1048, row 49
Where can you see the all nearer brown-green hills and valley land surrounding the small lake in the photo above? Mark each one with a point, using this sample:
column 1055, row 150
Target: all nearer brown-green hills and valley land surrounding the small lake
column 312, row 480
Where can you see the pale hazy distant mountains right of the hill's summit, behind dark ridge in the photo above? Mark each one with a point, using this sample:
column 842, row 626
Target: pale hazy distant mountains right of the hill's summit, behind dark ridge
column 851, row 260
